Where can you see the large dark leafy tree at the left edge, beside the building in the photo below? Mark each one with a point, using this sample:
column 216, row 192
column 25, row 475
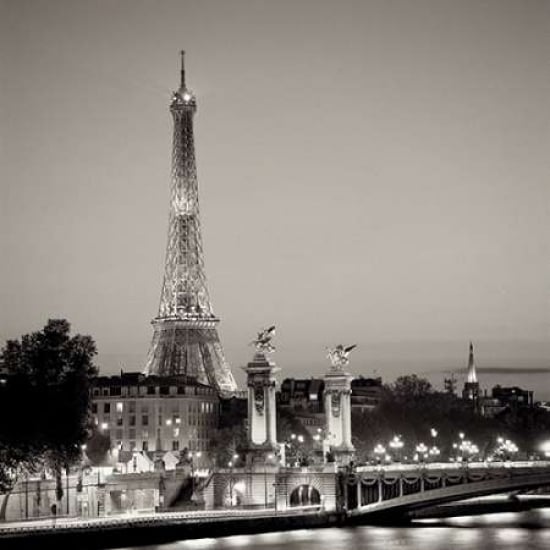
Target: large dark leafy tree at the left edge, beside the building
column 44, row 402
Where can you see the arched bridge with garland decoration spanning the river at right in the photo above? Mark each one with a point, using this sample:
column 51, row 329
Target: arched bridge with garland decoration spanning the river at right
column 372, row 493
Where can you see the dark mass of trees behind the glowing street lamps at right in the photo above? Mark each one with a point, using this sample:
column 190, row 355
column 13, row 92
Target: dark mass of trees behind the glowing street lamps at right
column 411, row 408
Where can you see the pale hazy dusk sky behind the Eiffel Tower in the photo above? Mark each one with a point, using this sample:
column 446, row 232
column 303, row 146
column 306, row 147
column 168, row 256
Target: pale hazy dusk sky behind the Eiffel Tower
column 370, row 172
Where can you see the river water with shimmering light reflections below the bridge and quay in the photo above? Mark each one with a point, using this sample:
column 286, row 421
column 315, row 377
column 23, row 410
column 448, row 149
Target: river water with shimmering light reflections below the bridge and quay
column 517, row 531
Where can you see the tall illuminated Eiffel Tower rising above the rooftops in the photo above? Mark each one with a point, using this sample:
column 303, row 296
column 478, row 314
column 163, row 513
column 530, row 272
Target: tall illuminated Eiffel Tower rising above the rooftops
column 185, row 339
